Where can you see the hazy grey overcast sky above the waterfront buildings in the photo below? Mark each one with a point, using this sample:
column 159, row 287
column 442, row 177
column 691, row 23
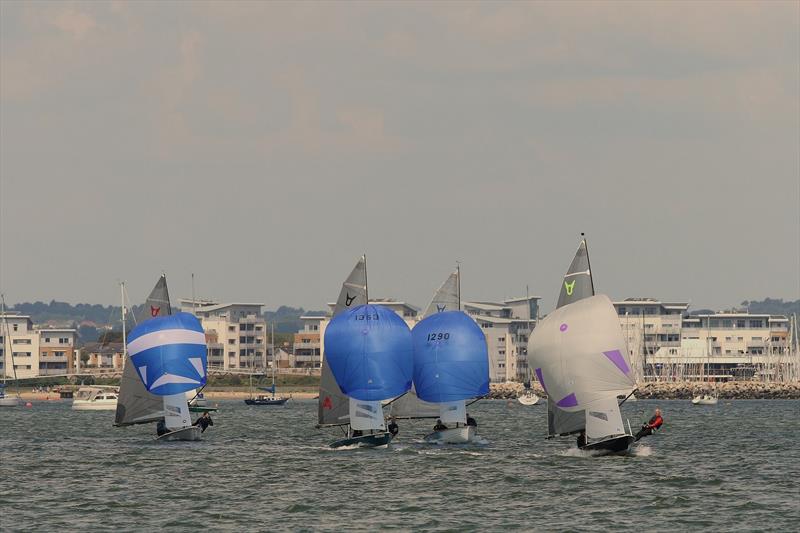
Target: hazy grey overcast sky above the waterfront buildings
column 265, row 146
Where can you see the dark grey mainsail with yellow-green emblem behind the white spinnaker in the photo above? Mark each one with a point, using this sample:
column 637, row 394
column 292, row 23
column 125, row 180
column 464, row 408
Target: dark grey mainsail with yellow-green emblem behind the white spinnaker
column 577, row 285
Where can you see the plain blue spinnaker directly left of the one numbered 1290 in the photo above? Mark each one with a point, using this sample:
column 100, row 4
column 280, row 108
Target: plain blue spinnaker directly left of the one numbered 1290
column 370, row 353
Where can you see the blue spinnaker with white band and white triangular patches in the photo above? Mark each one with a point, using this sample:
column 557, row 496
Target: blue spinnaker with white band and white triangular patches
column 169, row 354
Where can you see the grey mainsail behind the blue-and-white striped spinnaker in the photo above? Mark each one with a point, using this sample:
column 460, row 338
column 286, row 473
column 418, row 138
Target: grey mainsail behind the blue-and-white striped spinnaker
column 135, row 404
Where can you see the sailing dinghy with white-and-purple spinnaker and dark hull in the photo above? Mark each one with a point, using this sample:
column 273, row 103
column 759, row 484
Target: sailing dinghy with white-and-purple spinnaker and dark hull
column 579, row 357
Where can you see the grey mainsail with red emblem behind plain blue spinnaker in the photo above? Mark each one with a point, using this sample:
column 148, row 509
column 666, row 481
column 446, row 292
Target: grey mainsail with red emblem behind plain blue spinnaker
column 333, row 408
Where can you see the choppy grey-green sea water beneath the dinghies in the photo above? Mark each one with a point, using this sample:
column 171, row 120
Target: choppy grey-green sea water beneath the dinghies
column 733, row 467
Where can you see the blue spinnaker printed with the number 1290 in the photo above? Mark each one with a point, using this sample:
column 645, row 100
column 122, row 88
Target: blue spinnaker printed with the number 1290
column 451, row 361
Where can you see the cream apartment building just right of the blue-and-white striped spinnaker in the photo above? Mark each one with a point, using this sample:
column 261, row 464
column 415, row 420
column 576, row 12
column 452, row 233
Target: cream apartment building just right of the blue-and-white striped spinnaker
column 236, row 333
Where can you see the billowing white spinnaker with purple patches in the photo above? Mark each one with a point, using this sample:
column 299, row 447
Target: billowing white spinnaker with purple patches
column 580, row 353
